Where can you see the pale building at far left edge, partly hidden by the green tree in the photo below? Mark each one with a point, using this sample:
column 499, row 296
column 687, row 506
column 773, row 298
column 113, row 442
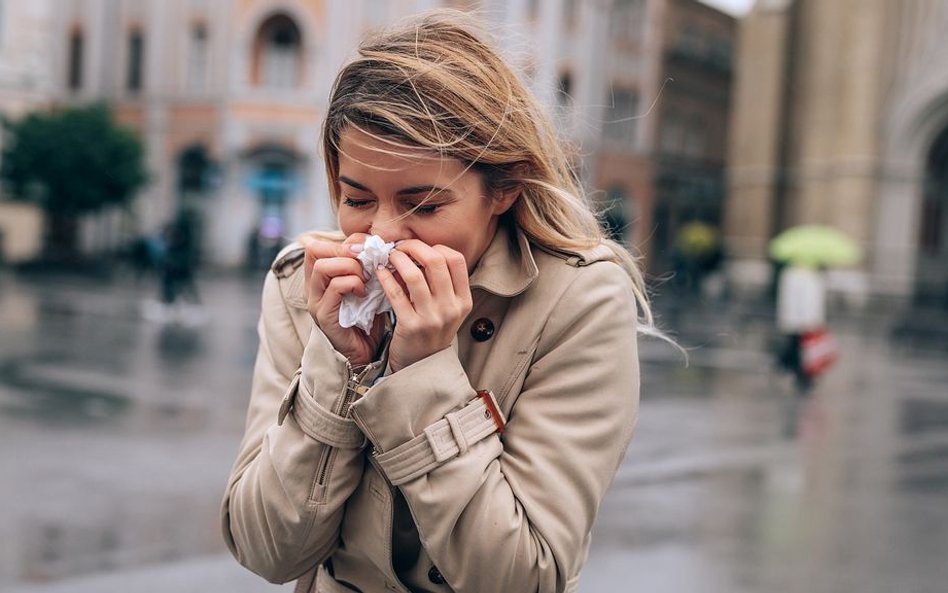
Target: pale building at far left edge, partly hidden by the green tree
column 26, row 83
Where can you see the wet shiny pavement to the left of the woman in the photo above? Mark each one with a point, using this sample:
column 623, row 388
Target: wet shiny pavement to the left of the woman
column 116, row 433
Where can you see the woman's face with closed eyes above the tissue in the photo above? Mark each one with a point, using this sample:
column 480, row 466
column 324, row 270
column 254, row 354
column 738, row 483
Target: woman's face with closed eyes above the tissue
column 379, row 193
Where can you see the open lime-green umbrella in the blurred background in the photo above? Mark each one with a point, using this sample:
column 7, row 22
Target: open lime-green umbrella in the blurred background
column 815, row 245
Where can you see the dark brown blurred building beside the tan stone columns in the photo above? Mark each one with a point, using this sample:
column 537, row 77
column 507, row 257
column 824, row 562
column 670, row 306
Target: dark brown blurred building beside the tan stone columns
column 688, row 143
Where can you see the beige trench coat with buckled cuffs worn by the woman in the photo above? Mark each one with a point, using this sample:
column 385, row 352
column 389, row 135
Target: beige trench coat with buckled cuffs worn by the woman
column 331, row 464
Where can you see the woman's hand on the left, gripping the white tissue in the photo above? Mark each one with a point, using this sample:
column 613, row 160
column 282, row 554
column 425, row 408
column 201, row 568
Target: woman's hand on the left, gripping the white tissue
column 332, row 271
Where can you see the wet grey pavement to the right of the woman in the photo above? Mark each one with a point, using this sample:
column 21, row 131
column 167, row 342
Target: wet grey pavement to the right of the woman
column 735, row 484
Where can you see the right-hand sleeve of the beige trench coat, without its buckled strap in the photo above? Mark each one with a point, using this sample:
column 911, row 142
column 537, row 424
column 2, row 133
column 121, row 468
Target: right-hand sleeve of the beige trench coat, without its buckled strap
column 513, row 513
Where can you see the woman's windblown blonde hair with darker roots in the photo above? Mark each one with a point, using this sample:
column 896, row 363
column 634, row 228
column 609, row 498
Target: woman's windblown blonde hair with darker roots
column 435, row 83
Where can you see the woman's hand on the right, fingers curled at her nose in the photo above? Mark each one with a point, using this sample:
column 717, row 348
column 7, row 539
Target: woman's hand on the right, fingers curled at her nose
column 431, row 300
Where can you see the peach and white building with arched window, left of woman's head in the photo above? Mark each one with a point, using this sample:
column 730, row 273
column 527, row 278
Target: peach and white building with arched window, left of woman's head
column 226, row 96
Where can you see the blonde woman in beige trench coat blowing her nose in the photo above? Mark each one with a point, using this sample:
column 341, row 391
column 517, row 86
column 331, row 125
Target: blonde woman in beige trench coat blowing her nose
column 466, row 446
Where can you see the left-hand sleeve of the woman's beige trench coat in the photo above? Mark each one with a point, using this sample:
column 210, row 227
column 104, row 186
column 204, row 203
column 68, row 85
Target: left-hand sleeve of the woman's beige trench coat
column 294, row 471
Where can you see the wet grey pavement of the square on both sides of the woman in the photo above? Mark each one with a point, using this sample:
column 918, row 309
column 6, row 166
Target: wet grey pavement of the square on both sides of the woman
column 117, row 431
